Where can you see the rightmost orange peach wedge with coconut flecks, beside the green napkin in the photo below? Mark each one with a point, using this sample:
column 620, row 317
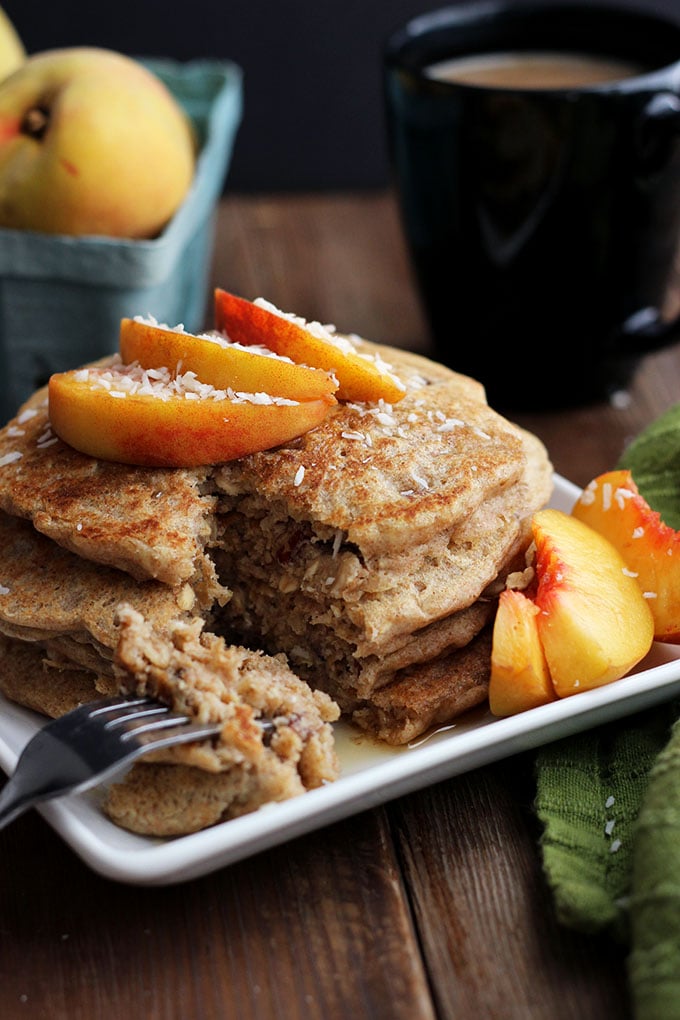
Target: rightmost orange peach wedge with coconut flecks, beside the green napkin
column 613, row 505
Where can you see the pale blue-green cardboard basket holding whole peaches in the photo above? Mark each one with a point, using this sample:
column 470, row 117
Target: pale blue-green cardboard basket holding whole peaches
column 63, row 298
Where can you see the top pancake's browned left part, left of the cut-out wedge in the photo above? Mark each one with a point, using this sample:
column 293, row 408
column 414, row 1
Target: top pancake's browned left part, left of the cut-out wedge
column 153, row 524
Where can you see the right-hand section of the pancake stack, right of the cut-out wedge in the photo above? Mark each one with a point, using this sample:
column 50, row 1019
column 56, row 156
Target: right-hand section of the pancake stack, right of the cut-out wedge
column 381, row 540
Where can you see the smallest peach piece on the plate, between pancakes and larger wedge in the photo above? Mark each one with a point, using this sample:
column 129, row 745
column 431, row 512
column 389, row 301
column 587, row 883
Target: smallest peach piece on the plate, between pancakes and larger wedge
column 520, row 679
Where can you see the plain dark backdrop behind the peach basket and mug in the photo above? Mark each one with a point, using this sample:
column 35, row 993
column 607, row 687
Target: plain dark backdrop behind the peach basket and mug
column 312, row 87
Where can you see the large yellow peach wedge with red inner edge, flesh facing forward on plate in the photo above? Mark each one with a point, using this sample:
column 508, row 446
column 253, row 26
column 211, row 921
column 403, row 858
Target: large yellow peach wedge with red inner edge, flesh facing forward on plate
column 594, row 623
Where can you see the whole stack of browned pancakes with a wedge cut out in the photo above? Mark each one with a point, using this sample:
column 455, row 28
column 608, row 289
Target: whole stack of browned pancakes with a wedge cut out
column 371, row 552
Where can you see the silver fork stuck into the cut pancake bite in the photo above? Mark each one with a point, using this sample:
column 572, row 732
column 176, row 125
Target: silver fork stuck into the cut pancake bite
column 86, row 747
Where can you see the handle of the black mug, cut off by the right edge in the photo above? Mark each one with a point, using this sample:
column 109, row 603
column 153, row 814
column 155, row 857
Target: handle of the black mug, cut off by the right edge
column 645, row 331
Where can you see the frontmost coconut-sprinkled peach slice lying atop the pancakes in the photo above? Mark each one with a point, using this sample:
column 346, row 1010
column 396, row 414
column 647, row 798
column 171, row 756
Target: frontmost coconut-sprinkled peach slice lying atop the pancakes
column 116, row 415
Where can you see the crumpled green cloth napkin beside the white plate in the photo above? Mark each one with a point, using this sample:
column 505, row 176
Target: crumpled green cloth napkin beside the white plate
column 609, row 800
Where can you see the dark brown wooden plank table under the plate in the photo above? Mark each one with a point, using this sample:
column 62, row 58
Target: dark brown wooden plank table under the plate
column 432, row 906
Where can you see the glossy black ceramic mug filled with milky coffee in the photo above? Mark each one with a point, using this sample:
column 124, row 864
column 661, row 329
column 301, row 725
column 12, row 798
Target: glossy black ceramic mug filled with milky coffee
column 543, row 217
